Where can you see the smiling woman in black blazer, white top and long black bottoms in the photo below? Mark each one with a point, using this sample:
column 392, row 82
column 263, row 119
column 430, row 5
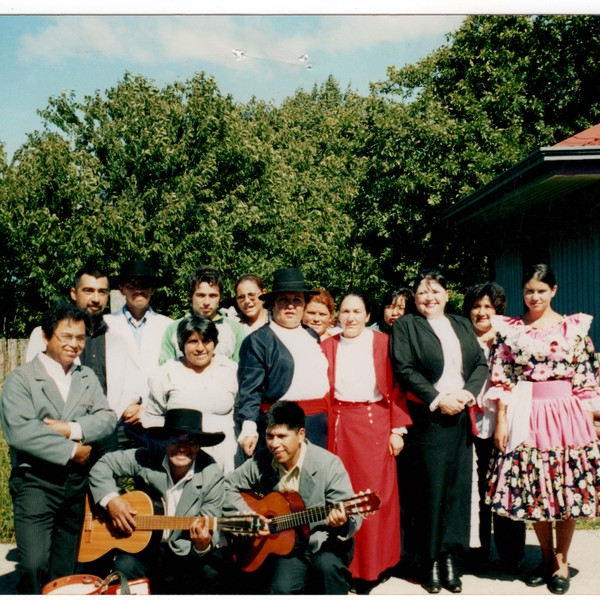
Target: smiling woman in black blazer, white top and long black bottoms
column 437, row 360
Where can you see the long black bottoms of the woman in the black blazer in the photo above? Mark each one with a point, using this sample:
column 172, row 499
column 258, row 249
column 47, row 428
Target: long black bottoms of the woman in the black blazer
column 439, row 454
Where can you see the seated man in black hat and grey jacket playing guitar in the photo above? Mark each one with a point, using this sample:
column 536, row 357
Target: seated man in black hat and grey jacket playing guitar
column 185, row 481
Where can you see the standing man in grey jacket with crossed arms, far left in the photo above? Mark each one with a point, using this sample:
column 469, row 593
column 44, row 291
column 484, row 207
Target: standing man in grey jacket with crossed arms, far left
column 52, row 412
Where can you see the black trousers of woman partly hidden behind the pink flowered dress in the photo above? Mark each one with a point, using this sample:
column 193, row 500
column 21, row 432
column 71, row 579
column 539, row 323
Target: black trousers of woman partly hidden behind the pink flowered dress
column 509, row 535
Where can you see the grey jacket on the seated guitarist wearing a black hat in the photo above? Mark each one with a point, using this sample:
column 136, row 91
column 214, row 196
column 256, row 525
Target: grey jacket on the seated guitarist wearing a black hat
column 202, row 495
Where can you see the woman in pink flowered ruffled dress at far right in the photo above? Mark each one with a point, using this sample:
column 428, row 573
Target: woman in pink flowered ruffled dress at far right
column 548, row 465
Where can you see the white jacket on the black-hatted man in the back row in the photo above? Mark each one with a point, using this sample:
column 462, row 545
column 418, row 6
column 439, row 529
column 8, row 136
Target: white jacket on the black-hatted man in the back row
column 146, row 356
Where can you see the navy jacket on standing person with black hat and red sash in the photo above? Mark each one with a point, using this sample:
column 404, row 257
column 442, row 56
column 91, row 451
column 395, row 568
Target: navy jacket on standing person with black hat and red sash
column 265, row 372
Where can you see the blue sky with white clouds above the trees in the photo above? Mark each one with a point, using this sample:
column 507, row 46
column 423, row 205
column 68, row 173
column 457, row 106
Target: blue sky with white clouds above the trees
column 42, row 55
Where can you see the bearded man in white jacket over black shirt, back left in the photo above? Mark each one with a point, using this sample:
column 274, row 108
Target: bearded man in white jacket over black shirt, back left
column 104, row 352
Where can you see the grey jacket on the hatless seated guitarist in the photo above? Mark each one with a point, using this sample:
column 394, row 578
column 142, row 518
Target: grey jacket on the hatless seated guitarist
column 323, row 480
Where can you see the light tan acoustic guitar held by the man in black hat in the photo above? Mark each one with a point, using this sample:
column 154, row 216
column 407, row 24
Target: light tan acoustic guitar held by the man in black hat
column 99, row 536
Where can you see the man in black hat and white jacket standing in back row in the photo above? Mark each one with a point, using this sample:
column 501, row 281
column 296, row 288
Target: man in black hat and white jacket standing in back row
column 141, row 327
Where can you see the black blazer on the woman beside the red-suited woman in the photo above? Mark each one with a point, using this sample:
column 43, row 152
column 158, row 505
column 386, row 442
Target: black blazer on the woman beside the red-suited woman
column 418, row 361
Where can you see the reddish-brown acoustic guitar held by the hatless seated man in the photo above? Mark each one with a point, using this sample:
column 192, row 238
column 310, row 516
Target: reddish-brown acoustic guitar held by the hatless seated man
column 290, row 523
